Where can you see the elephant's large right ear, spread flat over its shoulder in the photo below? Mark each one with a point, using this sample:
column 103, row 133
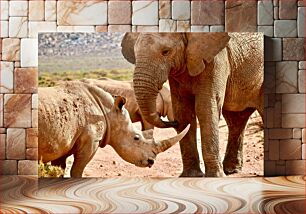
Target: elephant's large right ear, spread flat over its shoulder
column 203, row 47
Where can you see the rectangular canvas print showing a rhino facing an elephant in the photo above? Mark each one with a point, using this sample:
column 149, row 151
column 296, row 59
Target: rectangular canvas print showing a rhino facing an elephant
column 150, row 104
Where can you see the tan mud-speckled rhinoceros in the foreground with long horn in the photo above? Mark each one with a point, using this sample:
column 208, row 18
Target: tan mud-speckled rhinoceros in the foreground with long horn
column 77, row 118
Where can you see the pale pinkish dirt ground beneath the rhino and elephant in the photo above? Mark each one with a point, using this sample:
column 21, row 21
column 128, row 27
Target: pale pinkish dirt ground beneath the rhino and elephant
column 107, row 163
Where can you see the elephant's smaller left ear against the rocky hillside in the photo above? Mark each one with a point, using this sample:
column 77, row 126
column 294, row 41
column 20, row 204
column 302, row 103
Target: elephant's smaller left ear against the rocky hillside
column 127, row 45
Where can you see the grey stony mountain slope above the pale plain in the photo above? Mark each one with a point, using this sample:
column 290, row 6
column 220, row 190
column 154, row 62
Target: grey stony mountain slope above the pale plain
column 79, row 44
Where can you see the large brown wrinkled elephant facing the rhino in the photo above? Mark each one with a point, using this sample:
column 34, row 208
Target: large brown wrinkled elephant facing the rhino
column 209, row 74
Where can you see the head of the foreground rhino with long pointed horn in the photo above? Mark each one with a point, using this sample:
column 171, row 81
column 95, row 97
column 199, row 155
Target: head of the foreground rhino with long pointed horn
column 135, row 146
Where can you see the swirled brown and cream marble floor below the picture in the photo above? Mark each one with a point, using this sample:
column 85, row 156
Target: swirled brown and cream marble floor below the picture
column 139, row 195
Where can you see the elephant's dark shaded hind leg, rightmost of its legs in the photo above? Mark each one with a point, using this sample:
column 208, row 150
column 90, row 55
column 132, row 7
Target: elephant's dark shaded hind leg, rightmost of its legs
column 236, row 122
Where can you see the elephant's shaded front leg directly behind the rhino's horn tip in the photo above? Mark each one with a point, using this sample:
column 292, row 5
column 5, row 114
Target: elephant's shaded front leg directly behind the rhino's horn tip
column 184, row 113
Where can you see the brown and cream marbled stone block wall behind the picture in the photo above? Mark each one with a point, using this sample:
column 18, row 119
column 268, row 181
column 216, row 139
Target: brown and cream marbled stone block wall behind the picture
column 282, row 21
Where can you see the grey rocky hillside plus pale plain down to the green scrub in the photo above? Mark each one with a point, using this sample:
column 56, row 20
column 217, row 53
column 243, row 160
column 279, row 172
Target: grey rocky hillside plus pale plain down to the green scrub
column 80, row 51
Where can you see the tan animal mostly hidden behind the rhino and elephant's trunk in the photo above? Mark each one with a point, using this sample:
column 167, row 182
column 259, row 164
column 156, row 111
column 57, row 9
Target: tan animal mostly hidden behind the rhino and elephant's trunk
column 125, row 89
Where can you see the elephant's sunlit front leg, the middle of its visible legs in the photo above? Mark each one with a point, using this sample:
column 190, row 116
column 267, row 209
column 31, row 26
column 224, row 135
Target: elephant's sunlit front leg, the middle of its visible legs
column 208, row 112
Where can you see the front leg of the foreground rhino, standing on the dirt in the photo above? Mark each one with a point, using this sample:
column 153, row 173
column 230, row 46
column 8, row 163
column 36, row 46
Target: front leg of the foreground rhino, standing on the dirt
column 82, row 156
